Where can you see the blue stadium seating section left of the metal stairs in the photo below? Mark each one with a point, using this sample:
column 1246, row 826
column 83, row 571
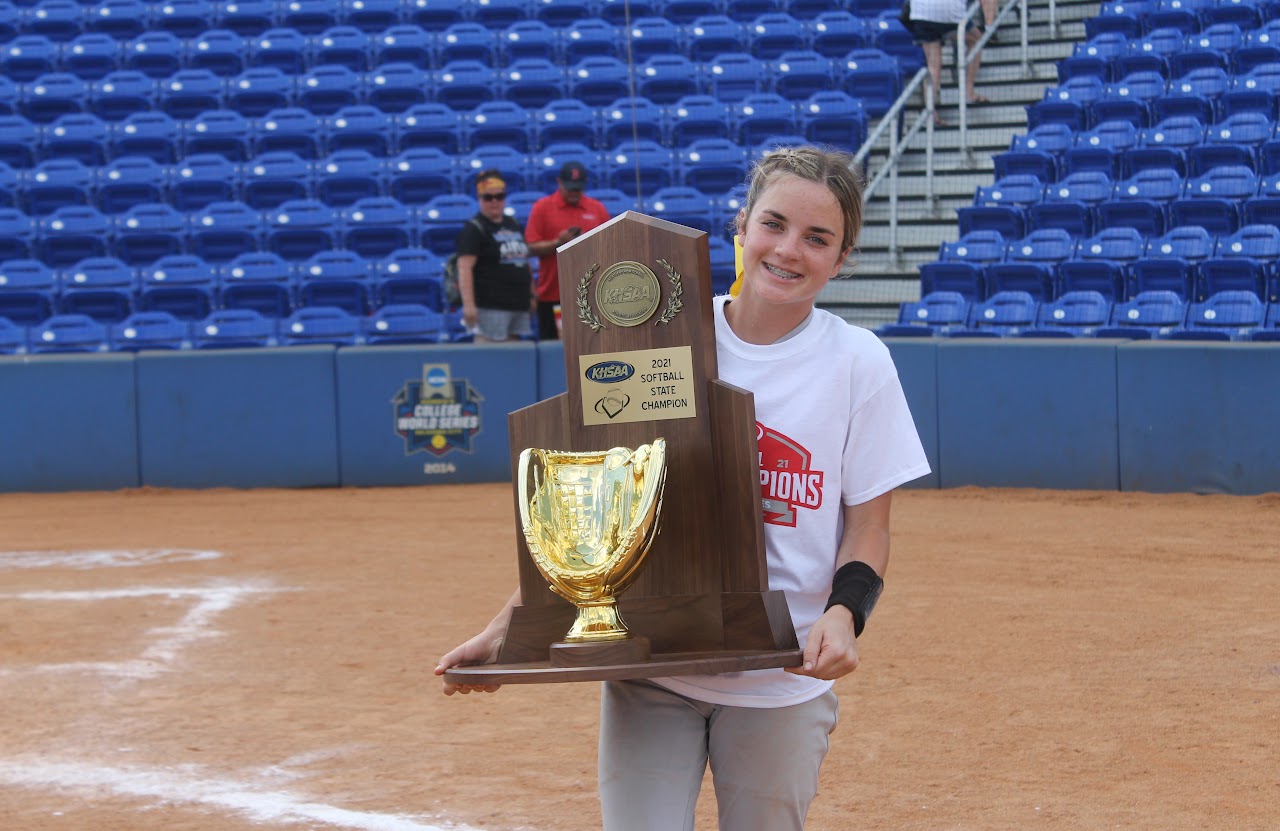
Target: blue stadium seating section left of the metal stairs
column 135, row 134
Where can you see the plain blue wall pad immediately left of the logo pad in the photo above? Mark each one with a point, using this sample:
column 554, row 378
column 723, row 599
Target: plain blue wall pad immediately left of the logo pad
column 239, row 418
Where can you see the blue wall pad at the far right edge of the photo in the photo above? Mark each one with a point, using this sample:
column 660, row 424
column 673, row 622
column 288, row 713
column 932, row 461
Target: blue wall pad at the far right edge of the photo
column 1200, row 417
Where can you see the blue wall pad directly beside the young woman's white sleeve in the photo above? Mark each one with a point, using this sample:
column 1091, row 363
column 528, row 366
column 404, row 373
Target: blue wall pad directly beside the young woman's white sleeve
column 1035, row 414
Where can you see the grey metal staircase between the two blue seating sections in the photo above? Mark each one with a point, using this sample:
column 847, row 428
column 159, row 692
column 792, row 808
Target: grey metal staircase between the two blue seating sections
column 888, row 276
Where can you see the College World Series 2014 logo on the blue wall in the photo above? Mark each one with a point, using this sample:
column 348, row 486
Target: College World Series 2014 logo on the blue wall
column 437, row 414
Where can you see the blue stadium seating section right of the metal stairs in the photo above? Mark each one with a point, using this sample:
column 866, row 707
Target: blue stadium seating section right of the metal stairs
column 1144, row 202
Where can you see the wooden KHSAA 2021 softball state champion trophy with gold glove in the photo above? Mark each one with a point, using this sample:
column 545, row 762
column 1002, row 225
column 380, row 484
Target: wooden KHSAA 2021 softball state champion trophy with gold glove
column 642, row 537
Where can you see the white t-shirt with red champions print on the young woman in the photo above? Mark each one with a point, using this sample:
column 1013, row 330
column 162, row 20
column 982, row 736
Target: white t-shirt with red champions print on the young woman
column 834, row 430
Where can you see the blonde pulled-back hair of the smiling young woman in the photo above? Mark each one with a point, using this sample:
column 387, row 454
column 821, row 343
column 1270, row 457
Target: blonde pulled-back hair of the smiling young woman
column 834, row 168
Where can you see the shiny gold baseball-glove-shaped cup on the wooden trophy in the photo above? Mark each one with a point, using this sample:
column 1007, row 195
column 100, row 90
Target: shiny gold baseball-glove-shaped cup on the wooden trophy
column 589, row 520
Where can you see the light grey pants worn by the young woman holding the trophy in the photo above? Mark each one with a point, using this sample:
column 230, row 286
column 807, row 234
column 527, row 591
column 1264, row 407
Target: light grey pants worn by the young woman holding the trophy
column 656, row 745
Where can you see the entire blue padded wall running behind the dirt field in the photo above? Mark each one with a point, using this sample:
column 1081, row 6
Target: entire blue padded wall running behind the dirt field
column 1030, row 414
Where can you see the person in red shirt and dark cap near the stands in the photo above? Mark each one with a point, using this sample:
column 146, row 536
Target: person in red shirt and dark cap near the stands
column 556, row 220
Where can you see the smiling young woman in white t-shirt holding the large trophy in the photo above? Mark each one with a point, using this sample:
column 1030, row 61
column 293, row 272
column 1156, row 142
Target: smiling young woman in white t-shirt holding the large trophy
column 830, row 391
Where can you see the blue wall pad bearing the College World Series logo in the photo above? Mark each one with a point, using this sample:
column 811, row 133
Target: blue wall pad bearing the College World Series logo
column 456, row 398
